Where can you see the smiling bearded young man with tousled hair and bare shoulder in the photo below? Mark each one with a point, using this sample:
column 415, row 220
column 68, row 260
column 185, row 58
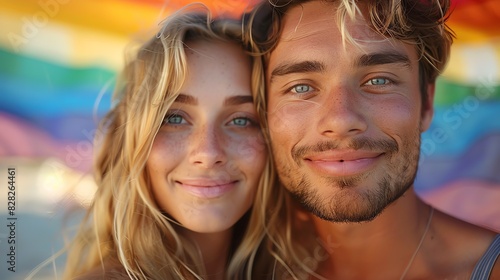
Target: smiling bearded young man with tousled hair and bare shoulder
column 350, row 87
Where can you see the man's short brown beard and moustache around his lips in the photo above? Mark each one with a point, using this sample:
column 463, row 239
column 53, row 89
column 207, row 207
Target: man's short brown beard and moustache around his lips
column 349, row 203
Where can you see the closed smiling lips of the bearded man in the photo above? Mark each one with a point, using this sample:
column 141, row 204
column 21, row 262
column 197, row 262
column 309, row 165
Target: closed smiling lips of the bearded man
column 343, row 163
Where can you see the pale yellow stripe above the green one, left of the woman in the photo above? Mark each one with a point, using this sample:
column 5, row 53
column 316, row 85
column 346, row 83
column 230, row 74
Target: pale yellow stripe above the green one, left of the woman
column 67, row 45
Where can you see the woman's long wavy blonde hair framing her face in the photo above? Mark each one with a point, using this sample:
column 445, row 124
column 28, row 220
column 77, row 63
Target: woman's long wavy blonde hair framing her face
column 124, row 225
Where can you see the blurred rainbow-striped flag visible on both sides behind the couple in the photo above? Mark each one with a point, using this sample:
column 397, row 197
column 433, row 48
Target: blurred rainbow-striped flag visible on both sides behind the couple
column 59, row 59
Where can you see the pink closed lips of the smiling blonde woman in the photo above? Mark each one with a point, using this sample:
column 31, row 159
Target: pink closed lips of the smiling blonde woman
column 204, row 188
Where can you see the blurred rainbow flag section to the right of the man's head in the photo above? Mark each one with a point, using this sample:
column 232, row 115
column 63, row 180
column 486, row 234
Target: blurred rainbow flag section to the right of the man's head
column 460, row 158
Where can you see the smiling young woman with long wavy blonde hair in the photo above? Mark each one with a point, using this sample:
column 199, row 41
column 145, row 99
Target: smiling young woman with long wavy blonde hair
column 185, row 186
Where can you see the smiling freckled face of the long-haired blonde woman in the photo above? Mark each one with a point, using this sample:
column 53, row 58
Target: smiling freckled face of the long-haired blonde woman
column 208, row 156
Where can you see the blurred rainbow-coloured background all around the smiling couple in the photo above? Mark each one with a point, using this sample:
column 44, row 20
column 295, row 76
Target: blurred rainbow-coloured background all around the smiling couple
column 58, row 62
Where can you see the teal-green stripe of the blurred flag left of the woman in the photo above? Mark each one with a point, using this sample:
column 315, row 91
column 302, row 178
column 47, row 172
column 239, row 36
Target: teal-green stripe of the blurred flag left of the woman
column 37, row 71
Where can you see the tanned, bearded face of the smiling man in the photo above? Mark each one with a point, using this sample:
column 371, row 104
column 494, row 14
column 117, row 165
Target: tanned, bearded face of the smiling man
column 345, row 121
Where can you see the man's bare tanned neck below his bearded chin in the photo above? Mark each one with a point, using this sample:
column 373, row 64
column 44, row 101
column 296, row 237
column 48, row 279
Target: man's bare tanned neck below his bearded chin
column 383, row 247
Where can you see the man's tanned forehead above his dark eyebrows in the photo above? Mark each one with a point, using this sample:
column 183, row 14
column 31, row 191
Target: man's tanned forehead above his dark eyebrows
column 311, row 34
